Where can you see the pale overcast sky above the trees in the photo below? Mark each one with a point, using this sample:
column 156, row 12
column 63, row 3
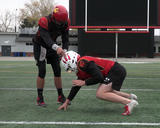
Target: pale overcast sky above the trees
column 17, row 4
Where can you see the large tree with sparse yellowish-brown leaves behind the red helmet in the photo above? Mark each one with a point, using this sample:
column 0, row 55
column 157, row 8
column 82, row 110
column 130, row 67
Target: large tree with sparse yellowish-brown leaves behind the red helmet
column 36, row 9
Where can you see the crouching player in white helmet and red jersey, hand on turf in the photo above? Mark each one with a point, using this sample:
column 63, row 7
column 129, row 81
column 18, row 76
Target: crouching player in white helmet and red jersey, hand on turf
column 92, row 70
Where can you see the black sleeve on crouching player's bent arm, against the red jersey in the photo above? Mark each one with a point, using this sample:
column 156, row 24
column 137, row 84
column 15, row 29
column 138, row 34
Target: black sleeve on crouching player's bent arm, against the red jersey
column 94, row 71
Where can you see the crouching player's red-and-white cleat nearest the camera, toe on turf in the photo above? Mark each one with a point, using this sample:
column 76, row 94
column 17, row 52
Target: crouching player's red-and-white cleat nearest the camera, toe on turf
column 129, row 107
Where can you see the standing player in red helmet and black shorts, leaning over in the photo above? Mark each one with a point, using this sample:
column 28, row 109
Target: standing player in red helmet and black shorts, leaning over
column 47, row 49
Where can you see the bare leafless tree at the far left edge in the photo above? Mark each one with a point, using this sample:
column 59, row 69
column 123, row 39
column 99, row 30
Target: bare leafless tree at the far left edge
column 6, row 21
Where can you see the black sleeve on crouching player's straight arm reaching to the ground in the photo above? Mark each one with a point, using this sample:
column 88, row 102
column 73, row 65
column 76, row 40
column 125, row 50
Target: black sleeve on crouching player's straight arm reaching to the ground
column 73, row 92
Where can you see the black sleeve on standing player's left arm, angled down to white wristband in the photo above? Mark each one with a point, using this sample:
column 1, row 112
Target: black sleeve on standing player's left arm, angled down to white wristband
column 46, row 37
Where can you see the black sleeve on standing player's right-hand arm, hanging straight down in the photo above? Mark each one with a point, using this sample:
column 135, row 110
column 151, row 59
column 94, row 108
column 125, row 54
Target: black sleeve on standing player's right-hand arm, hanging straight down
column 65, row 39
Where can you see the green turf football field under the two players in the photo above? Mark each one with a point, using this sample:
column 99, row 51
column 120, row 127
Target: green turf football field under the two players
column 18, row 99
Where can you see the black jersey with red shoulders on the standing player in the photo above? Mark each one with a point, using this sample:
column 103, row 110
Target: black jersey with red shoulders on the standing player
column 48, row 32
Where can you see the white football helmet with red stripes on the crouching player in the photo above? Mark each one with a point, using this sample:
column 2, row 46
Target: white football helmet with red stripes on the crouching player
column 69, row 62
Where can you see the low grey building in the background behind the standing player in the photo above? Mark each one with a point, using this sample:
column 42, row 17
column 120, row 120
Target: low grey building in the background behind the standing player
column 20, row 44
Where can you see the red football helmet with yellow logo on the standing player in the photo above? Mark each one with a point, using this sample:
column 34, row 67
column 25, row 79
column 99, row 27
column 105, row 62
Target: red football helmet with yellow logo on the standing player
column 60, row 14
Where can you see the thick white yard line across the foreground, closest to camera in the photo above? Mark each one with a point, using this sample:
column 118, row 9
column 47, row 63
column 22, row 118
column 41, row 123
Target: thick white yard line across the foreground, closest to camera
column 79, row 123
